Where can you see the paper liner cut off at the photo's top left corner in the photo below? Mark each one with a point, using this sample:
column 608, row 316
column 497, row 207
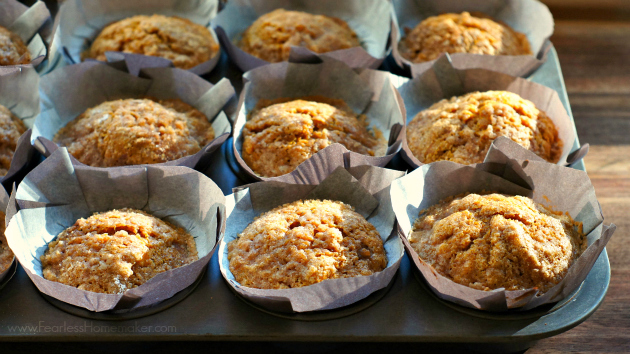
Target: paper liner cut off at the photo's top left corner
column 33, row 25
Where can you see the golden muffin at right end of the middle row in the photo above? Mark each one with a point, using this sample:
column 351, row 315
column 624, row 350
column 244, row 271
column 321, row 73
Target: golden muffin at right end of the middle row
column 463, row 128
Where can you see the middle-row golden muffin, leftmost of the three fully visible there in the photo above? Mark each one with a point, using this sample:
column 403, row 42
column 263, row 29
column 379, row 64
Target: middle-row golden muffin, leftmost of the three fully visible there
column 135, row 131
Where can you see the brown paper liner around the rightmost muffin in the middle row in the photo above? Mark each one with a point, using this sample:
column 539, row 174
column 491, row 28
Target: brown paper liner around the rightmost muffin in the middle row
column 443, row 81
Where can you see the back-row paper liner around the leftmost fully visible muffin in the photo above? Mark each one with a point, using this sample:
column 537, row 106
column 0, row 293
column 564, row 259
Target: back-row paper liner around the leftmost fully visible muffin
column 82, row 20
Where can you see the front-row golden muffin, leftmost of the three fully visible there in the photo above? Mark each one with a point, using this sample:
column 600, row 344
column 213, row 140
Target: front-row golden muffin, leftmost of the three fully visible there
column 117, row 250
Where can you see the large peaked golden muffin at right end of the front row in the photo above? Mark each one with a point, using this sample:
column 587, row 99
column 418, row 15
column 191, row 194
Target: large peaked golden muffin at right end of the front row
column 496, row 241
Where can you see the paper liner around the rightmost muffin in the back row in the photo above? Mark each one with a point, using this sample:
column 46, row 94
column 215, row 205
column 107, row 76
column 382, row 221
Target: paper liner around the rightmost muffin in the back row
column 529, row 17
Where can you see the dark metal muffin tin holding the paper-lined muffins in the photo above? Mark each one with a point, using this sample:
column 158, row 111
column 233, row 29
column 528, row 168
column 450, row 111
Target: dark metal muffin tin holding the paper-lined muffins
column 406, row 311
